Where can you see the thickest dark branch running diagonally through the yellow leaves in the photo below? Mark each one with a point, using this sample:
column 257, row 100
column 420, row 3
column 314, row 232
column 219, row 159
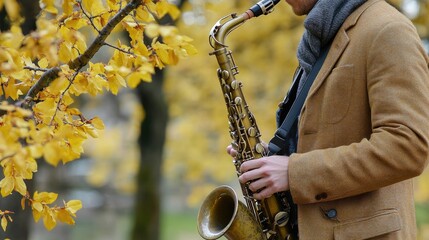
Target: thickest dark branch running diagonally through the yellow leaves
column 83, row 59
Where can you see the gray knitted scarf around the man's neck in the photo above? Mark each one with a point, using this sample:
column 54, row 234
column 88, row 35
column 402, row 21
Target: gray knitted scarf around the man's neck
column 321, row 26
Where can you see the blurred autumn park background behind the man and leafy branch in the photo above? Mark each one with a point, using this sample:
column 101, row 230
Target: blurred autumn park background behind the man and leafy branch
column 163, row 149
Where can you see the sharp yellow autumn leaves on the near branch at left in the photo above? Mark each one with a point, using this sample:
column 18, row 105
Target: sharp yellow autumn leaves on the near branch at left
column 43, row 72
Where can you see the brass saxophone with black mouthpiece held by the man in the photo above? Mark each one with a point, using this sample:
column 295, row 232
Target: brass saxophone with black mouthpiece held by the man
column 221, row 214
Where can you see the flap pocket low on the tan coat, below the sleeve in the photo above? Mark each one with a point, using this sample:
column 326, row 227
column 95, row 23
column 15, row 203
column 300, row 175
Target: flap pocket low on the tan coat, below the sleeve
column 383, row 222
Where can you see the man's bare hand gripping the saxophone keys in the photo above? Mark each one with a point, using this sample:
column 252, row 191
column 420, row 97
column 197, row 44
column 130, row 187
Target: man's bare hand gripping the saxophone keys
column 266, row 175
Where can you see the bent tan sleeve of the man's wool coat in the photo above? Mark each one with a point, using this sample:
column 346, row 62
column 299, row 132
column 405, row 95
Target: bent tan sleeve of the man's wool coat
column 398, row 146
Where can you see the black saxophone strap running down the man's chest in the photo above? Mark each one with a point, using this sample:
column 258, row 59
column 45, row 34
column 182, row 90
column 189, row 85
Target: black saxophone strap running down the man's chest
column 279, row 141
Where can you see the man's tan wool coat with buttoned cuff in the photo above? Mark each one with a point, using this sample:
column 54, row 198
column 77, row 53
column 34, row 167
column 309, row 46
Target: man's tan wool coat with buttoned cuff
column 364, row 131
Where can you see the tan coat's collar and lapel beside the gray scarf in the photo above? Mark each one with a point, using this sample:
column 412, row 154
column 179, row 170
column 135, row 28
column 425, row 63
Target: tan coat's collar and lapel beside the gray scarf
column 338, row 46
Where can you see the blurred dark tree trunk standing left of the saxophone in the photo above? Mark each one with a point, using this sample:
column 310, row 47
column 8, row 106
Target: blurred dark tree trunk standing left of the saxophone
column 151, row 142
